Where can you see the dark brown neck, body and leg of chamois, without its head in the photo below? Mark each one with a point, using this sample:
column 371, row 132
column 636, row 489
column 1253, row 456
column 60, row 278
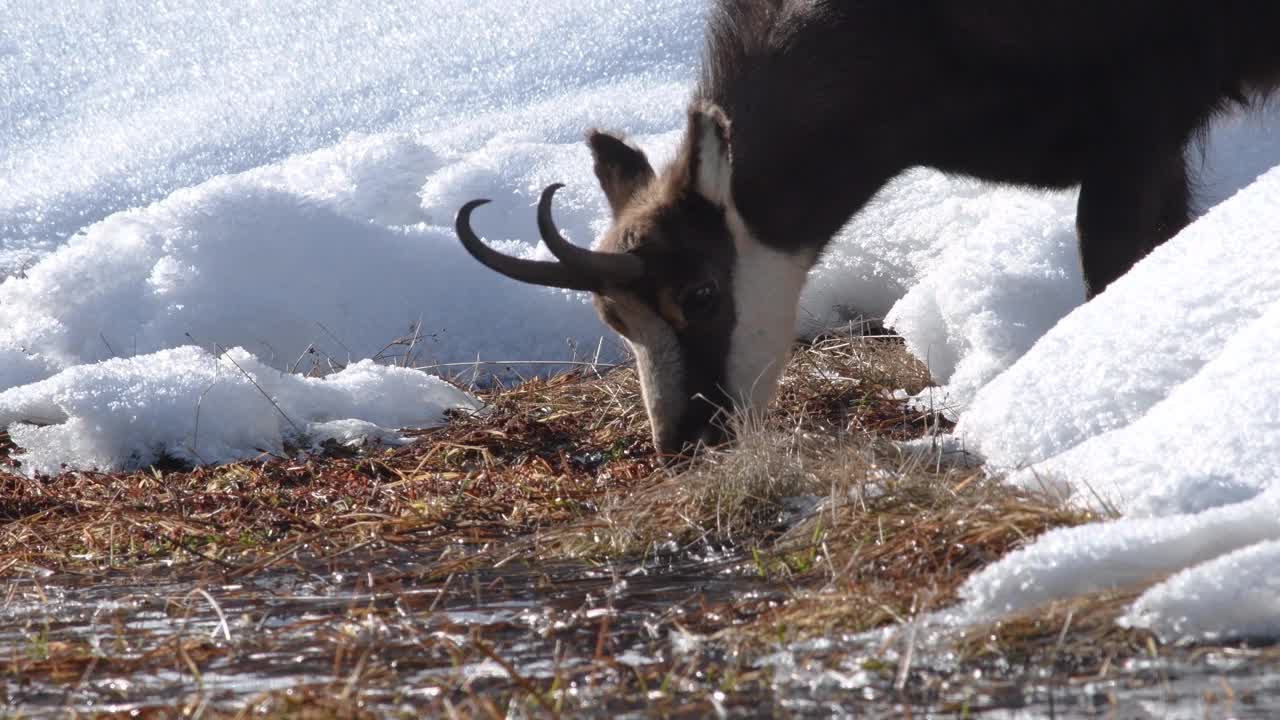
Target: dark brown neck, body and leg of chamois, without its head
column 829, row 101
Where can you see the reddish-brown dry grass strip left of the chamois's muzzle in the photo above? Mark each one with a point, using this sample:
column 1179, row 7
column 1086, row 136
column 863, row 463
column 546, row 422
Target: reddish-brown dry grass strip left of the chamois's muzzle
column 542, row 454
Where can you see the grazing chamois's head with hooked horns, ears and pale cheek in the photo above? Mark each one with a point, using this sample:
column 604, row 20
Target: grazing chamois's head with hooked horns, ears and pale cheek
column 708, row 312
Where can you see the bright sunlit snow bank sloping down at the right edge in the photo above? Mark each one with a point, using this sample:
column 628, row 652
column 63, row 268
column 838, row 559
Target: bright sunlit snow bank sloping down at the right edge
column 1156, row 402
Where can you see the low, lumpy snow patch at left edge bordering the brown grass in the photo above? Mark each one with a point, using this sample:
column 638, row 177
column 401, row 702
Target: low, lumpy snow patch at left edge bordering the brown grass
column 191, row 405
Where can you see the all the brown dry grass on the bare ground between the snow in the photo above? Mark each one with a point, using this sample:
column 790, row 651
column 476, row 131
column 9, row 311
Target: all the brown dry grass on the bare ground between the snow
column 817, row 503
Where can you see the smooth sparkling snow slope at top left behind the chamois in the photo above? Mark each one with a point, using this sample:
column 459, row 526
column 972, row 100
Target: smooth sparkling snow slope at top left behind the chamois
column 117, row 106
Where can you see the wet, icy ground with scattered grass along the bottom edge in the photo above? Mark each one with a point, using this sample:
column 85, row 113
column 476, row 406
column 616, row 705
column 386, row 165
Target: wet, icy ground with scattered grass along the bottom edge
column 387, row 634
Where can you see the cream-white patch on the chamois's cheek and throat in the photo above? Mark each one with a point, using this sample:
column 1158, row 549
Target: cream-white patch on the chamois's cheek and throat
column 767, row 286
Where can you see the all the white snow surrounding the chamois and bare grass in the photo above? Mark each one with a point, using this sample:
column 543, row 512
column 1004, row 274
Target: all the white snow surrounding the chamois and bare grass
column 281, row 180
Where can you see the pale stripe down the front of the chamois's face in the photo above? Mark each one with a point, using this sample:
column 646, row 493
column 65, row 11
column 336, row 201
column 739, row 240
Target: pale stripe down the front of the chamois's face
column 659, row 363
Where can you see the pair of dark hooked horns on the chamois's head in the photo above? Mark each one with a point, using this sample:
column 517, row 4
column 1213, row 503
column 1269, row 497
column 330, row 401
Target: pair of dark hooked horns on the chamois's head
column 578, row 268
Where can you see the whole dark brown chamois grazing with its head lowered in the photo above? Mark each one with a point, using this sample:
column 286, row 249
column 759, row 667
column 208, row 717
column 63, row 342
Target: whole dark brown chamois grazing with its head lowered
column 806, row 110
